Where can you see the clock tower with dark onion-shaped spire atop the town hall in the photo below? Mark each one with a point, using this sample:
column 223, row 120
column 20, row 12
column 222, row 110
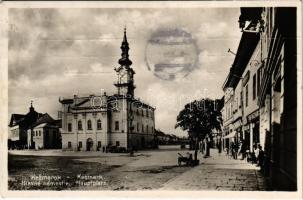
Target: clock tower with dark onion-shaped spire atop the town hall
column 125, row 82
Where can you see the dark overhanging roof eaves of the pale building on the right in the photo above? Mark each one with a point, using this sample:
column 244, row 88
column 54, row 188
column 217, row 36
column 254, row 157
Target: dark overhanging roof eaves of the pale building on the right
column 247, row 45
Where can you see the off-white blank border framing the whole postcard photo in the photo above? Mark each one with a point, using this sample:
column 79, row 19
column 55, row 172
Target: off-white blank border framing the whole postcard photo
column 4, row 6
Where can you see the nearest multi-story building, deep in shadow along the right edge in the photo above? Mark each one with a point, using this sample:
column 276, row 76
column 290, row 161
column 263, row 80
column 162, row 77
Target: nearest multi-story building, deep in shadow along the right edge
column 278, row 95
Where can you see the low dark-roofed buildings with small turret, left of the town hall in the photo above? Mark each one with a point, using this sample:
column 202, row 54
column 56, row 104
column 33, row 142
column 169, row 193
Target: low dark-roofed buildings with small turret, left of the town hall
column 33, row 131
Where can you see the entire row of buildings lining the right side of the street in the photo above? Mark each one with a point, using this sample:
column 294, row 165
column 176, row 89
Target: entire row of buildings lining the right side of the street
column 260, row 91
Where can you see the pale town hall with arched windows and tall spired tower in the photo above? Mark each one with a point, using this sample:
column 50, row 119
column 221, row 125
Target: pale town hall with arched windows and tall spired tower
column 91, row 123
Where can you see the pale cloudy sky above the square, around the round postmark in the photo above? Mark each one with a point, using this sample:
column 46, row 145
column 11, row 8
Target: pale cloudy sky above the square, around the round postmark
column 61, row 52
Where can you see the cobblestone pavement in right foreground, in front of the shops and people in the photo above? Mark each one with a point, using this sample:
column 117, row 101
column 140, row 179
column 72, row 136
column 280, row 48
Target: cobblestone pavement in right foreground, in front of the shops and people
column 219, row 172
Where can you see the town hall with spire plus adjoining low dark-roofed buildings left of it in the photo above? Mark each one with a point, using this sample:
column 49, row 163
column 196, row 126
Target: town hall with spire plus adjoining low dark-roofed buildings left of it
column 90, row 123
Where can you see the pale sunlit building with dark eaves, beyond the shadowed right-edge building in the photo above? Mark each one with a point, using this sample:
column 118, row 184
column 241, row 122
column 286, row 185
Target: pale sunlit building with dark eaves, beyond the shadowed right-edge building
column 242, row 84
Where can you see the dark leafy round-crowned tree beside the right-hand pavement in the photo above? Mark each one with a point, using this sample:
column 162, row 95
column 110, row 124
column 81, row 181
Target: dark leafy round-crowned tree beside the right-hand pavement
column 199, row 118
